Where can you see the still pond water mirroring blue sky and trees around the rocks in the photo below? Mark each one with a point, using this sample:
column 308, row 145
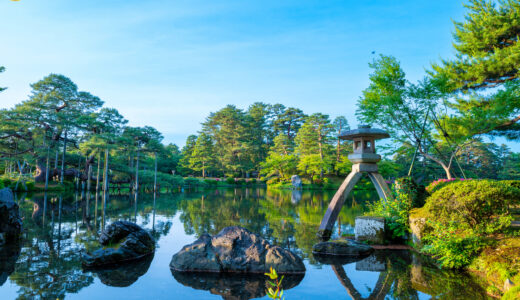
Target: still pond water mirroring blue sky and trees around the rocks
column 47, row 263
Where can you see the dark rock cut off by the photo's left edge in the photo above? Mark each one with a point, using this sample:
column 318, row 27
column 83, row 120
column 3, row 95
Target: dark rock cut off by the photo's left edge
column 10, row 221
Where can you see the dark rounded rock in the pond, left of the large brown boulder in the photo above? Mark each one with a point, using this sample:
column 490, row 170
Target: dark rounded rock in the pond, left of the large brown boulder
column 123, row 241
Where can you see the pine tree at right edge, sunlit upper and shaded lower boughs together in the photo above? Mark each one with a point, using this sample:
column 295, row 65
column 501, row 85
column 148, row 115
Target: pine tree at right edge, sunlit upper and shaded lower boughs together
column 487, row 57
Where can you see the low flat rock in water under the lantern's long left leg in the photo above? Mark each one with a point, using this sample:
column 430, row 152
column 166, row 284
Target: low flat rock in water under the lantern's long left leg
column 342, row 248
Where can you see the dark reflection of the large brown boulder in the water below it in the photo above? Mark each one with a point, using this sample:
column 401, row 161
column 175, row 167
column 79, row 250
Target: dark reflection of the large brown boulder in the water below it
column 234, row 286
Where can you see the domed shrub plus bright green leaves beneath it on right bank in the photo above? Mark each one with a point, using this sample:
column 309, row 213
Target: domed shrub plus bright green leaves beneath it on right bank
column 466, row 214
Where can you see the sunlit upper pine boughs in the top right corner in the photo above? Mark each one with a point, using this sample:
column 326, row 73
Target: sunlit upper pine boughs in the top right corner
column 486, row 45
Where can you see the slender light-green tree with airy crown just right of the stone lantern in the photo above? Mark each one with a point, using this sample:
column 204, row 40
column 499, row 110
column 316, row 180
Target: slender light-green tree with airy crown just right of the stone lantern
column 413, row 113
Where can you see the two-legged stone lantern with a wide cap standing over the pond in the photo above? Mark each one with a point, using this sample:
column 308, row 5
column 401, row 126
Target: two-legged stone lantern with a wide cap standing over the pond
column 365, row 161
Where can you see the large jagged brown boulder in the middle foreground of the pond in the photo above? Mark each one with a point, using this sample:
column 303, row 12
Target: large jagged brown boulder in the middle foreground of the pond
column 235, row 249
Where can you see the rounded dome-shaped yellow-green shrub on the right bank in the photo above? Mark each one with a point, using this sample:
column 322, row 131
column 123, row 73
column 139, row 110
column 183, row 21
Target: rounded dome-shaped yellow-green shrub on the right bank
column 475, row 203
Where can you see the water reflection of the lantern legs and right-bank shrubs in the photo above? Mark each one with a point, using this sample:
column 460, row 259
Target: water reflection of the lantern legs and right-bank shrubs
column 406, row 275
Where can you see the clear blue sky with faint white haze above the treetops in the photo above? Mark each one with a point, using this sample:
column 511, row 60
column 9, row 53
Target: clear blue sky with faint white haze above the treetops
column 169, row 64
